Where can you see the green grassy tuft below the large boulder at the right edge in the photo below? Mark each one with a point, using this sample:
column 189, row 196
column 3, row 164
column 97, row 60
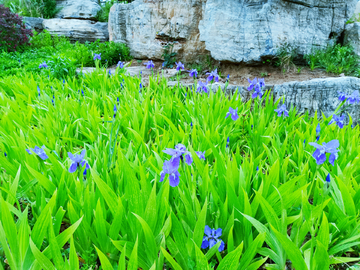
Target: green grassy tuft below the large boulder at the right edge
column 335, row 59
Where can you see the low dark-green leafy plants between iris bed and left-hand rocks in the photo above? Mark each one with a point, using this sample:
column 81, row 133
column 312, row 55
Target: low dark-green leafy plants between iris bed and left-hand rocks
column 61, row 56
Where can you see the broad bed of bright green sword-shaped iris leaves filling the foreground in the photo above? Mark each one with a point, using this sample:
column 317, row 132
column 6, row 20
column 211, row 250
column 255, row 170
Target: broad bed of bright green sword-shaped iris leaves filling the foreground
column 259, row 184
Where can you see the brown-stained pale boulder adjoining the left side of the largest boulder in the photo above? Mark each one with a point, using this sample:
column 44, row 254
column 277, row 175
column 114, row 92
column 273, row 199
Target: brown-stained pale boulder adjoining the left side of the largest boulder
column 147, row 26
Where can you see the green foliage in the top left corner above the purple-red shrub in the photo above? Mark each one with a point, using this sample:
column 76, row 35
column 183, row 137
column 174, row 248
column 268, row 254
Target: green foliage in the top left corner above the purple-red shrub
column 33, row 8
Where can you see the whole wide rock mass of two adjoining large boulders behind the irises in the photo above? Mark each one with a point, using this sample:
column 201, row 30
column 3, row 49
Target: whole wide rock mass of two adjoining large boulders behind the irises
column 238, row 31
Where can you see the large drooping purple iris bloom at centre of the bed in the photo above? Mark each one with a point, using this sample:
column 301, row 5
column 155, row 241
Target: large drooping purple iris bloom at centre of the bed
column 171, row 166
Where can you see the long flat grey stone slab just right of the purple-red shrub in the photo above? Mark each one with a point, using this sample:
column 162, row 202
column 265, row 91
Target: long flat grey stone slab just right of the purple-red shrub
column 78, row 30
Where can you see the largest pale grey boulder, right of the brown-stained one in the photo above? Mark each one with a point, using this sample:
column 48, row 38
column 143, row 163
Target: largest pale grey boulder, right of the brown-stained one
column 252, row 30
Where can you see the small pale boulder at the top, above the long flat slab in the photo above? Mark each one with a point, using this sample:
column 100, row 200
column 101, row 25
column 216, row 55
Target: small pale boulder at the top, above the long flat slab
column 75, row 9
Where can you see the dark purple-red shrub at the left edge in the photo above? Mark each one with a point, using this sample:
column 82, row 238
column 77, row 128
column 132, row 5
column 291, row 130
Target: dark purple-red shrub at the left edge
column 13, row 33
